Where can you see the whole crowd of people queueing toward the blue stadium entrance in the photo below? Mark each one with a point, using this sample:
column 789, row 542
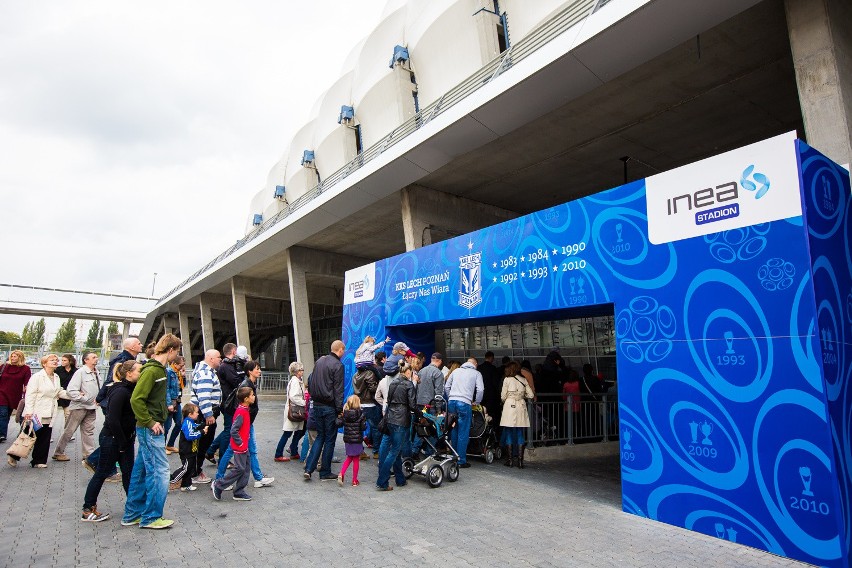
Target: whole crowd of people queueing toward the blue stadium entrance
column 144, row 418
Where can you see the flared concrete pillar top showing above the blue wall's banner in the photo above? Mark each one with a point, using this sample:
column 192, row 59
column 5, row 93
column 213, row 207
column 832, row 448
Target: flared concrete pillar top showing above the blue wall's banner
column 430, row 216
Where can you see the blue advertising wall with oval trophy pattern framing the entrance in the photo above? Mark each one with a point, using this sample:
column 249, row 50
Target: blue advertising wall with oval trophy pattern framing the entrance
column 731, row 347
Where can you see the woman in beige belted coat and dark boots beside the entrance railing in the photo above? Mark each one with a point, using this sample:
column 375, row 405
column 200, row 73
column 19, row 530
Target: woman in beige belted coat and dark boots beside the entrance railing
column 515, row 419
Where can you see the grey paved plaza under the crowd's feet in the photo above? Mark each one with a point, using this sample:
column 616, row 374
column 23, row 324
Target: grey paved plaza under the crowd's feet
column 564, row 513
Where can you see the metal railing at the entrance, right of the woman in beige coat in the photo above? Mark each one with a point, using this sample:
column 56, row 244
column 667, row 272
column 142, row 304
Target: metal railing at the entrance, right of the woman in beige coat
column 572, row 418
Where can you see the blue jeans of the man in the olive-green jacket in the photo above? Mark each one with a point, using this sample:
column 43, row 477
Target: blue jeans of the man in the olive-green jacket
column 149, row 483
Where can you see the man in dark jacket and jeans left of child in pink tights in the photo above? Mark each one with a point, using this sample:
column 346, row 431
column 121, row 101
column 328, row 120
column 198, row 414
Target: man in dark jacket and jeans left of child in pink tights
column 326, row 388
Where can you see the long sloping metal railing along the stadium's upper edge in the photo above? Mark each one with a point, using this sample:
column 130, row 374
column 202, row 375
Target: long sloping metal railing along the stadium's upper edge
column 571, row 15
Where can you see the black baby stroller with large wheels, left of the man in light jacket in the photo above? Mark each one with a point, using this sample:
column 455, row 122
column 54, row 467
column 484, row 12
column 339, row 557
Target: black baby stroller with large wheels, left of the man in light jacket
column 444, row 462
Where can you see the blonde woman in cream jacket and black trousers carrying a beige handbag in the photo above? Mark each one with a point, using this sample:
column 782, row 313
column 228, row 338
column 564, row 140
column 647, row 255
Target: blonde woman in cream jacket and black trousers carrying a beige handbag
column 43, row 391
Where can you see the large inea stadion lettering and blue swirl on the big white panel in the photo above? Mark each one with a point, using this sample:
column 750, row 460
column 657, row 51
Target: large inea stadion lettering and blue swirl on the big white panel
column 725, row 195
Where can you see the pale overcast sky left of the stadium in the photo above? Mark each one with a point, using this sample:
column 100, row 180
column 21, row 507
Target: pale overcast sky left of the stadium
column 134, row 134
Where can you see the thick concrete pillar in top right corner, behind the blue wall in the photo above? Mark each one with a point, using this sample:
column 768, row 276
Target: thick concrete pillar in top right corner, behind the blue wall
column 821, row 45
